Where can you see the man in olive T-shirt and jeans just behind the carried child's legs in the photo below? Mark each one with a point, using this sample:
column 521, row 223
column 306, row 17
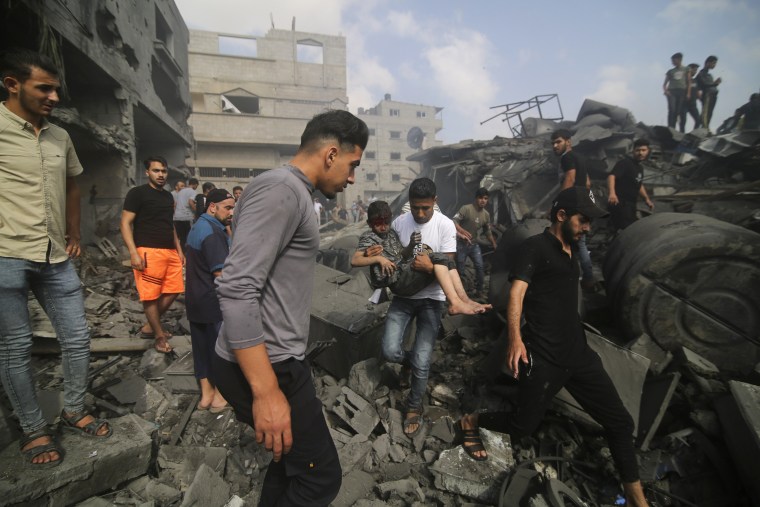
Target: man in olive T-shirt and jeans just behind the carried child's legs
column 470, row 221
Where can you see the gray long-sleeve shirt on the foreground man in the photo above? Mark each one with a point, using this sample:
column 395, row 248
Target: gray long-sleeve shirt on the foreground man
column 267, row 280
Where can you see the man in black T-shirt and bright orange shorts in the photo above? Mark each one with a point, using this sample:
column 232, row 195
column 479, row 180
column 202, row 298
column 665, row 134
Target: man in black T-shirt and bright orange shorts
column 154, row 250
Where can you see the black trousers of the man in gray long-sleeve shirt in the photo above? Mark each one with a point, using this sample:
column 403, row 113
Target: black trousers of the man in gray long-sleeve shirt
column 310, row 474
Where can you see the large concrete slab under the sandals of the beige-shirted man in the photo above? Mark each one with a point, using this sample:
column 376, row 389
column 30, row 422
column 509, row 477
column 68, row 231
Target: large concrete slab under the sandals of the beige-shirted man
column 90, row 466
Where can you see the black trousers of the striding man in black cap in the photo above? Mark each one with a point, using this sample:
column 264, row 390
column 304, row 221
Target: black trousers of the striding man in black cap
column 590, row 385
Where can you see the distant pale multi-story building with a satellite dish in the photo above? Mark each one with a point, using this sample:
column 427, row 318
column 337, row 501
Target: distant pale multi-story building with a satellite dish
column 397, row 130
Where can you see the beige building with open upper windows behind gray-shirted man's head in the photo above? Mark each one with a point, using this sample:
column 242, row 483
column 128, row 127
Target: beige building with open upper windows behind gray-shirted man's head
column 252, row 98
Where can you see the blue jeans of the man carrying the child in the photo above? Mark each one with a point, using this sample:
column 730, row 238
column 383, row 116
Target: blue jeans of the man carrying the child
column 401, row 312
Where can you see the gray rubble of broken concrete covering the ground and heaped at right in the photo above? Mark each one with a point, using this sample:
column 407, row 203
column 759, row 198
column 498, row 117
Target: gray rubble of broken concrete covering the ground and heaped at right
column 675, row 324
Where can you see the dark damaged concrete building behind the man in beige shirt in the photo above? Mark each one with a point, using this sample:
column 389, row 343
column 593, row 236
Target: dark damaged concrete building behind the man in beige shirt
column 125, row 96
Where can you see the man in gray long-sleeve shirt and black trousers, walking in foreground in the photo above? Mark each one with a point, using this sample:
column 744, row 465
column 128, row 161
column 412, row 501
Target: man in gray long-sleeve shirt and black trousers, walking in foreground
column 265, row 294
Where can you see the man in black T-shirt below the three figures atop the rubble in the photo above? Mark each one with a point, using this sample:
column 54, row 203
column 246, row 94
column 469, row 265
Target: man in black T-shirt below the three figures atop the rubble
column 624, row 186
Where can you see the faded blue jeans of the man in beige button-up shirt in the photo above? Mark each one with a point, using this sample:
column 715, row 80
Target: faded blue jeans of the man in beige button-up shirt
column 58, row 290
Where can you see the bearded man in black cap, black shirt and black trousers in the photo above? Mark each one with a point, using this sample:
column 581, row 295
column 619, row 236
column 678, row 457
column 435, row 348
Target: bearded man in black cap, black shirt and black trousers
column 550, row 351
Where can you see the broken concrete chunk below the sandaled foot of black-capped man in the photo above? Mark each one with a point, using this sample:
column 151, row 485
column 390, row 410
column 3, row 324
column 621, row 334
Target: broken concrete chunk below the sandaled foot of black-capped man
column 457, row 473
